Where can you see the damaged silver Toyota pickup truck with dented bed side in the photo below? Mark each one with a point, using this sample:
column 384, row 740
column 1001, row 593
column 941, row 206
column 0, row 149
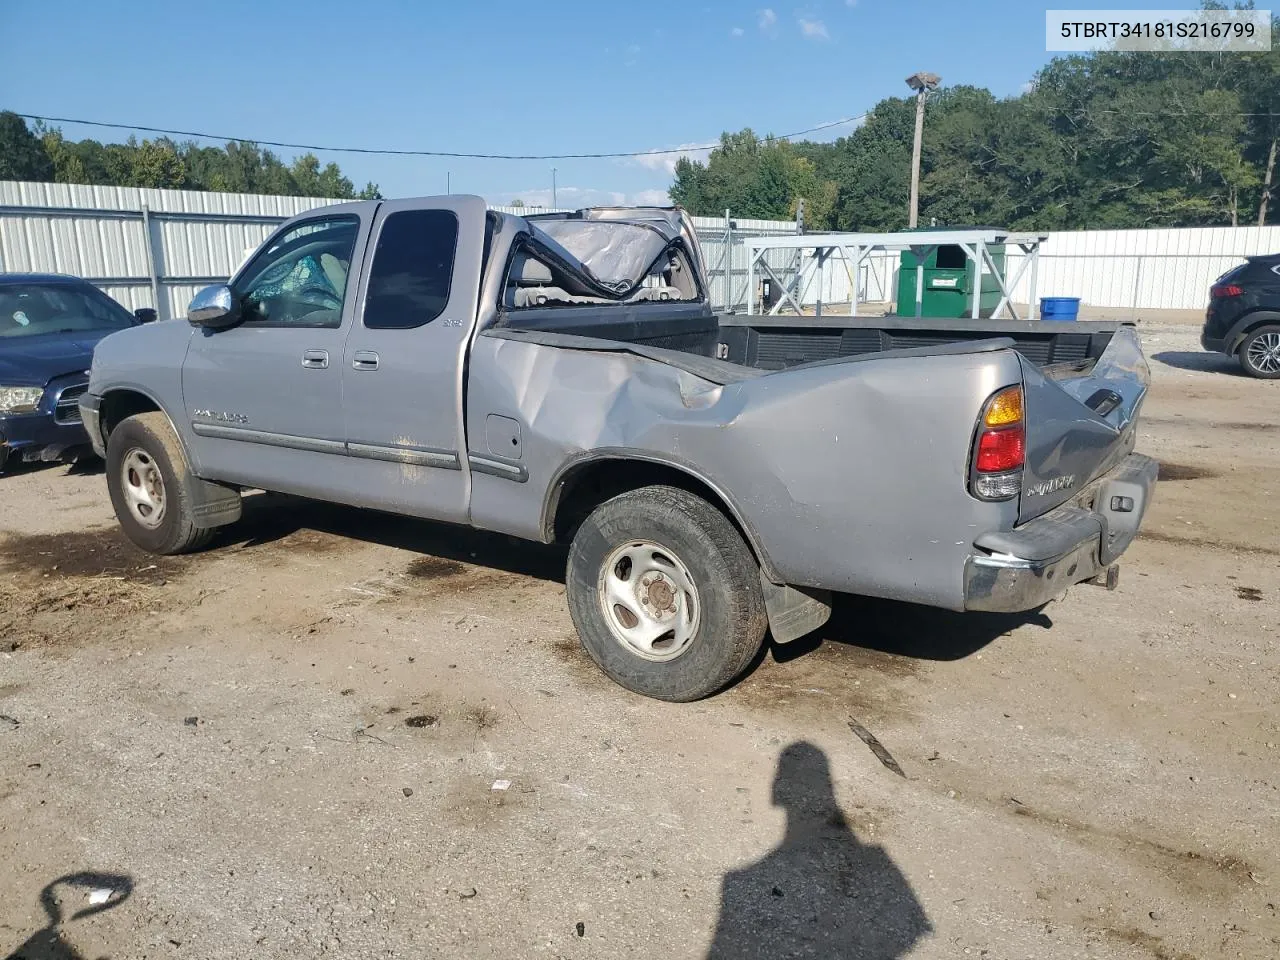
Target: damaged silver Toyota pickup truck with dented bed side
column 561, row 378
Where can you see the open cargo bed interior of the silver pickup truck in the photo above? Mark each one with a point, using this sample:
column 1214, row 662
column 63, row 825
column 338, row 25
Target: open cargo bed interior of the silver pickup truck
column 780, row 342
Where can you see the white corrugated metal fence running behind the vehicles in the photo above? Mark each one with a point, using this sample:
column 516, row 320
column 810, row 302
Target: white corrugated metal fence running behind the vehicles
column 157, row 248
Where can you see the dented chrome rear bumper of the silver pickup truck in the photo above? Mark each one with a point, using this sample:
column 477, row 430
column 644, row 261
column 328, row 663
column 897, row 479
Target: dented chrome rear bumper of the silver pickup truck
column 1025, row 569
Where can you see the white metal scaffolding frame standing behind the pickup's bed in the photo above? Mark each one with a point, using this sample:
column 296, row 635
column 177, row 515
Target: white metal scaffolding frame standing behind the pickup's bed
column 853, row 249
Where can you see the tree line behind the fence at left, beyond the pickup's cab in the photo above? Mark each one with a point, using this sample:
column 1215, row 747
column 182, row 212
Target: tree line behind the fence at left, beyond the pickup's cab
column 240, row 167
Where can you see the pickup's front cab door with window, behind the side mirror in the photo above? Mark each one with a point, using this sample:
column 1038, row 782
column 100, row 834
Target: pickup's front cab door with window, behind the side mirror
column 264, row 397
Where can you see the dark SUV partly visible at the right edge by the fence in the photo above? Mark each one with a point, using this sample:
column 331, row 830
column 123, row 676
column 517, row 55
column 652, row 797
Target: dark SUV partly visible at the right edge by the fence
column 1244, row 317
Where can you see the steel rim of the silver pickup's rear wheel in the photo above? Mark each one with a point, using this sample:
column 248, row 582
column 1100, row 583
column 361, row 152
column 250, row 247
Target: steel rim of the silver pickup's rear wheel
column 650, row 601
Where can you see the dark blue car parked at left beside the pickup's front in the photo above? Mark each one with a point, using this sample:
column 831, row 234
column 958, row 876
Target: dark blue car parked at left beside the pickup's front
column 49, row 326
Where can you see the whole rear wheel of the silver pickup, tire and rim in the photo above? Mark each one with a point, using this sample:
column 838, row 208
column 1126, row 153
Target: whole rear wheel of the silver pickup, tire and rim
column 665, row 595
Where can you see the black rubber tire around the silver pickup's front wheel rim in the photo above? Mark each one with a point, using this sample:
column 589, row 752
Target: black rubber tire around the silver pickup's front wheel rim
column 153, row 438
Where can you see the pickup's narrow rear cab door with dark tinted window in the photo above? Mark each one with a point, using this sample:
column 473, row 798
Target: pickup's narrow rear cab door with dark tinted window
column 405, row 358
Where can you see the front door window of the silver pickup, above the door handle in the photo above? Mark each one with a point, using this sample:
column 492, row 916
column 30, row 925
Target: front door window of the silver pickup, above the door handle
column 301, row 278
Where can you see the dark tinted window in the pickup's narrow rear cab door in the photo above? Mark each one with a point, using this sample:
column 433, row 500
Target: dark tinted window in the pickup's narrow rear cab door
column 413, row 269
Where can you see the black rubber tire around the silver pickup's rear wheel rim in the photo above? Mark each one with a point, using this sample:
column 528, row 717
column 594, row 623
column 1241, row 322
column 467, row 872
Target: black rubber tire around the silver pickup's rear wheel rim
column 732, row 619
